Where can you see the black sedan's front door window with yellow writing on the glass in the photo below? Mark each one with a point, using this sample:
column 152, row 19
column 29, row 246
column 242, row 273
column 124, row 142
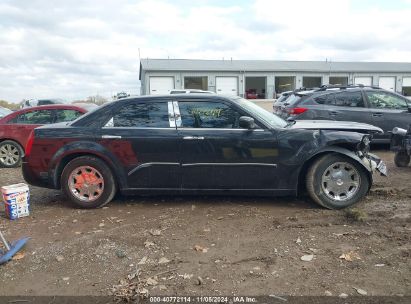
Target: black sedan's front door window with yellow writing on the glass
column 206, row 114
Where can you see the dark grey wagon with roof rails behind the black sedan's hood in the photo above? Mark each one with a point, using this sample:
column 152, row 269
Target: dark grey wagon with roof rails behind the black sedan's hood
column 369, row 105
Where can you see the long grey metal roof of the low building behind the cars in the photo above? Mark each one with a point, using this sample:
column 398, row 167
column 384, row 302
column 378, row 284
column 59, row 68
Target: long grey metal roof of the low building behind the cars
column 271, row 65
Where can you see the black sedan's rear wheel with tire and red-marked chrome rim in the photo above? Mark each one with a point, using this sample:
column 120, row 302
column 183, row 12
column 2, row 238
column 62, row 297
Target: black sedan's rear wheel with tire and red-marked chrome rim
column 88, row 182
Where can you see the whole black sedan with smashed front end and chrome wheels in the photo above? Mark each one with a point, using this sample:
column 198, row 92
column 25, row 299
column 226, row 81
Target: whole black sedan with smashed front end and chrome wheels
column 200, row 144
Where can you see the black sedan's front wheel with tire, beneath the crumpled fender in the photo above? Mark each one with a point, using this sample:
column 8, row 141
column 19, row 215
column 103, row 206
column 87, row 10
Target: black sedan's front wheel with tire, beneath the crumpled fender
column 335, row 181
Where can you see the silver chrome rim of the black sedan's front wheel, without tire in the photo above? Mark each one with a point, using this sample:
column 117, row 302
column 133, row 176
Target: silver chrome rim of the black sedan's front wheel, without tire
column 340, row 181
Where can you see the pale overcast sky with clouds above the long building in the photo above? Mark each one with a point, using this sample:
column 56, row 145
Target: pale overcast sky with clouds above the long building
column 77, row 48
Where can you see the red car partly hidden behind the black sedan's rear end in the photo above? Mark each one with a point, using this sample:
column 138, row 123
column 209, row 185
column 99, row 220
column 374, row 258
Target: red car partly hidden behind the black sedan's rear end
column 16, row 127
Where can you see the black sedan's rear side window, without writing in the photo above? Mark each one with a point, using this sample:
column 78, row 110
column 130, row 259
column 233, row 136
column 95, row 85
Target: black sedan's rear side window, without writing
column 141, row 115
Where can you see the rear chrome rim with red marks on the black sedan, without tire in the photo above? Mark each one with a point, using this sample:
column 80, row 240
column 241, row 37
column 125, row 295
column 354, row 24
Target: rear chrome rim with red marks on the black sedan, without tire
column 86, row 183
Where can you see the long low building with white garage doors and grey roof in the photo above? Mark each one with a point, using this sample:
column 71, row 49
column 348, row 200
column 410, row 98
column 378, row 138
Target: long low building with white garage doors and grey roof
column 267, row 77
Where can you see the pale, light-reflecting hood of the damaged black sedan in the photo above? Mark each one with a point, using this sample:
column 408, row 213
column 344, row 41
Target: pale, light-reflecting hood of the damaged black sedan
column 335, row 125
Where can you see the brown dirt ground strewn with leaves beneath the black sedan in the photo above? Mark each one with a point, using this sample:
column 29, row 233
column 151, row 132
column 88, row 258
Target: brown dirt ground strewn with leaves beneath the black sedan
column 244, row 245
